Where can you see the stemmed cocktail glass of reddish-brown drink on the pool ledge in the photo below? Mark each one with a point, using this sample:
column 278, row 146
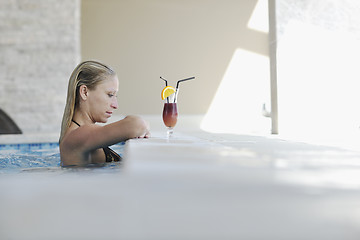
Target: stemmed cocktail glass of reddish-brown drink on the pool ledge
column 170, row 113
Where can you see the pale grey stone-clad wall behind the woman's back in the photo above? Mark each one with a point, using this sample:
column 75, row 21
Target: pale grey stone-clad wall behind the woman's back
column 39, row 47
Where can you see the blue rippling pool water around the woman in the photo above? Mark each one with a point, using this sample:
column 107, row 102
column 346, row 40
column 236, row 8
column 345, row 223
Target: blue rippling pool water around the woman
column 20, row 157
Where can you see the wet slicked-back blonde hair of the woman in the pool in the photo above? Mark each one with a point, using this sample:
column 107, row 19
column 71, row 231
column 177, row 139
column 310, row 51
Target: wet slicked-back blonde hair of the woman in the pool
column 88, row 73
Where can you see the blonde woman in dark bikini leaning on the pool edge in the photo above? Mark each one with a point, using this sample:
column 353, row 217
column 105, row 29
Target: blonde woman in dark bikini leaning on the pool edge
column 91, row 98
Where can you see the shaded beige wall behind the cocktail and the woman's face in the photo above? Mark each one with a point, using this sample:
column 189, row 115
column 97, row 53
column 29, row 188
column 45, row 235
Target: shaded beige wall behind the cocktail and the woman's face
column 146, row 39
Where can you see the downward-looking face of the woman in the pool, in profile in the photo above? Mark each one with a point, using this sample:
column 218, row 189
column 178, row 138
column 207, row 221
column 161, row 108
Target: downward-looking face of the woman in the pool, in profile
column 103, row 99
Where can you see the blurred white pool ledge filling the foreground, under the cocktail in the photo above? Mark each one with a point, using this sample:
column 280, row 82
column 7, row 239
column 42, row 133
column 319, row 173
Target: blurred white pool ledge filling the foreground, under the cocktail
column 197, row 185
